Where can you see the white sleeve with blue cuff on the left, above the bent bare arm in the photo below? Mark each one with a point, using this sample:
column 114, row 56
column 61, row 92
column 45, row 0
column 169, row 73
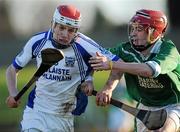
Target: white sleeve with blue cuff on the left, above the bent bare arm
column 24, row 56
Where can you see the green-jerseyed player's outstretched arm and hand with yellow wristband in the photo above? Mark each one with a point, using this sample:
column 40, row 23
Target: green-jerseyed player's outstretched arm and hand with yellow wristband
column 100, row 62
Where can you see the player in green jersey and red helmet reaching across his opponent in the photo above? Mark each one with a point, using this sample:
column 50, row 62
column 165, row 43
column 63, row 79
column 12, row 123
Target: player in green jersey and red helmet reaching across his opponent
column 151, row 67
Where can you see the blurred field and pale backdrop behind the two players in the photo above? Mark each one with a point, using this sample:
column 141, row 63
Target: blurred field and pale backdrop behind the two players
column 103, row 20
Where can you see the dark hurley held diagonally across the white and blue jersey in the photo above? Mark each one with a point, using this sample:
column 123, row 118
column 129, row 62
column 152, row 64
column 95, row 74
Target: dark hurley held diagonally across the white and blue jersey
column 49, row 56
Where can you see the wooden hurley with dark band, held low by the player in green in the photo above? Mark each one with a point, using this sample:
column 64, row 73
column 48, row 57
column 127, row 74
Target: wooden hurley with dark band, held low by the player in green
column 153, row 120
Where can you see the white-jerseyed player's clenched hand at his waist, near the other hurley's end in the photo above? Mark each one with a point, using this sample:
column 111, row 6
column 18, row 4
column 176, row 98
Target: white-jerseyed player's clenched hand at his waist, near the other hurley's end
column 87, row 87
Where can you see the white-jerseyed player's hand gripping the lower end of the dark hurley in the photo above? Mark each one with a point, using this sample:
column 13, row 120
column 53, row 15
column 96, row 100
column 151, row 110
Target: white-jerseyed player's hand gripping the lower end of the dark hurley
column 11, row 103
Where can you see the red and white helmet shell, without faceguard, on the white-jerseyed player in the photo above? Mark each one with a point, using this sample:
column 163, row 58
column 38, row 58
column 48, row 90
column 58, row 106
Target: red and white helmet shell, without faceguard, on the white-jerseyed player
column 67, row 15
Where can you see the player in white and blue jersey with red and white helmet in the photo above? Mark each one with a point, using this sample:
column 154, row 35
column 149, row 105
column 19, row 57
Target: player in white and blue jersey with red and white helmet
column 55, row 98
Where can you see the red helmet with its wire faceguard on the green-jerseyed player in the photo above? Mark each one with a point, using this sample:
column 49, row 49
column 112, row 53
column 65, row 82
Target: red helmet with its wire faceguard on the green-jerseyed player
column 153, row 22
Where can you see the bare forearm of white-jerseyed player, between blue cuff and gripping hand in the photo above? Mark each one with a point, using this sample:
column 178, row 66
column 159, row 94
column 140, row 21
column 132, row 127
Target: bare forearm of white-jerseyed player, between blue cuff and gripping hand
column 11, row 74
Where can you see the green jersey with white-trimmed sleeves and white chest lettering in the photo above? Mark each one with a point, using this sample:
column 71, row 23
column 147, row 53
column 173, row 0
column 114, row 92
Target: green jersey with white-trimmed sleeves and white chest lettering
column 164, row 87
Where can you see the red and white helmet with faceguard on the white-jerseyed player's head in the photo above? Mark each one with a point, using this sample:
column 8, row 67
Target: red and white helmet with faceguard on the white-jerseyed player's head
column 65, row 15
